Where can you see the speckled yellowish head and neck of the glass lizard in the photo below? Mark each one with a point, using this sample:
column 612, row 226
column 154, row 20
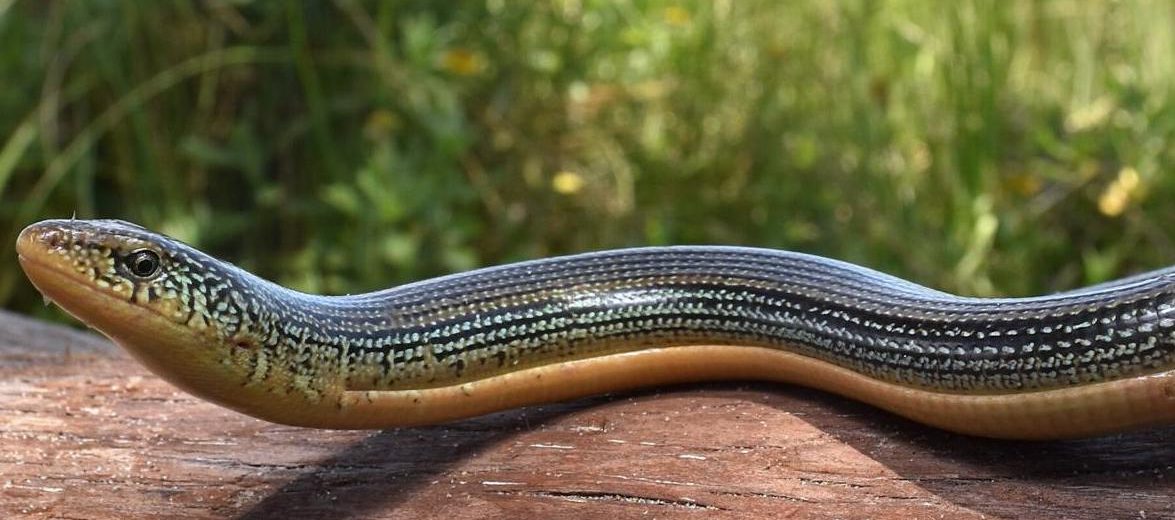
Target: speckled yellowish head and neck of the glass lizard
column 198, row 322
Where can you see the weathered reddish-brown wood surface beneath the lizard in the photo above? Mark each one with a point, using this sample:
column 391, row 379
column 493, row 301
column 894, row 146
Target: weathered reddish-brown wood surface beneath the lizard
column 86, row 434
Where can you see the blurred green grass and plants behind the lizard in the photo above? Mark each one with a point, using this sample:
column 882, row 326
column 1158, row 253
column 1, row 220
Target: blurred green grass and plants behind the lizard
column 981, row 147
